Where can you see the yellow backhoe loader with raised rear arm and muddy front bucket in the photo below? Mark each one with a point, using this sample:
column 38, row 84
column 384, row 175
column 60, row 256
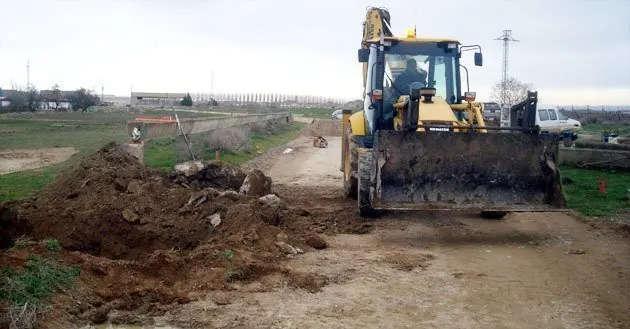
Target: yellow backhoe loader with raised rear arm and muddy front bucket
column 421, row 143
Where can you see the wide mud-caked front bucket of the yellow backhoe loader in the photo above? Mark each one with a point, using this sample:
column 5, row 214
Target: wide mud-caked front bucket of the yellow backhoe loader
column 473, row 171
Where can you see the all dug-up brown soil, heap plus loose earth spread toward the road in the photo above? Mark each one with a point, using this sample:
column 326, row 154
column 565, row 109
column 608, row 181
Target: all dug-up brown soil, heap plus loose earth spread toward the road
column 147, row 240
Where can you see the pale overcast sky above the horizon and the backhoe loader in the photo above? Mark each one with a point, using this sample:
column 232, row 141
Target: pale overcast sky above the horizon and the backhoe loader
column 571, row 51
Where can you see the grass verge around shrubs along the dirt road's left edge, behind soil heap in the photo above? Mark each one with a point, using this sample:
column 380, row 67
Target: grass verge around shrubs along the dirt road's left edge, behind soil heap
column 161, row 153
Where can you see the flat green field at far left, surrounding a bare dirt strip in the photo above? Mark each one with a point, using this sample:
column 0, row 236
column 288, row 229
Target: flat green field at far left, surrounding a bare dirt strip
column 86, row 132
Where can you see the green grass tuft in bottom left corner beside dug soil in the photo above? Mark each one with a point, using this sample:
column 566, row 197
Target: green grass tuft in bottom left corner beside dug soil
column 38, row 278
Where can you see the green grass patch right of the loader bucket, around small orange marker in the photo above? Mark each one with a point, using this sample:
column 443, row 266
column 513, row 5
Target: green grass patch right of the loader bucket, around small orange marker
column 583, row 194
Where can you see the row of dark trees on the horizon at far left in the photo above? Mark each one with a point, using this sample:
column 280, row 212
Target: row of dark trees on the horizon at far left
column 32, row 99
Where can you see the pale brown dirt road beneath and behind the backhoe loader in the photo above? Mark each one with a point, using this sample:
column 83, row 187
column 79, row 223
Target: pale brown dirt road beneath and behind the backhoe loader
column 431, row 270
